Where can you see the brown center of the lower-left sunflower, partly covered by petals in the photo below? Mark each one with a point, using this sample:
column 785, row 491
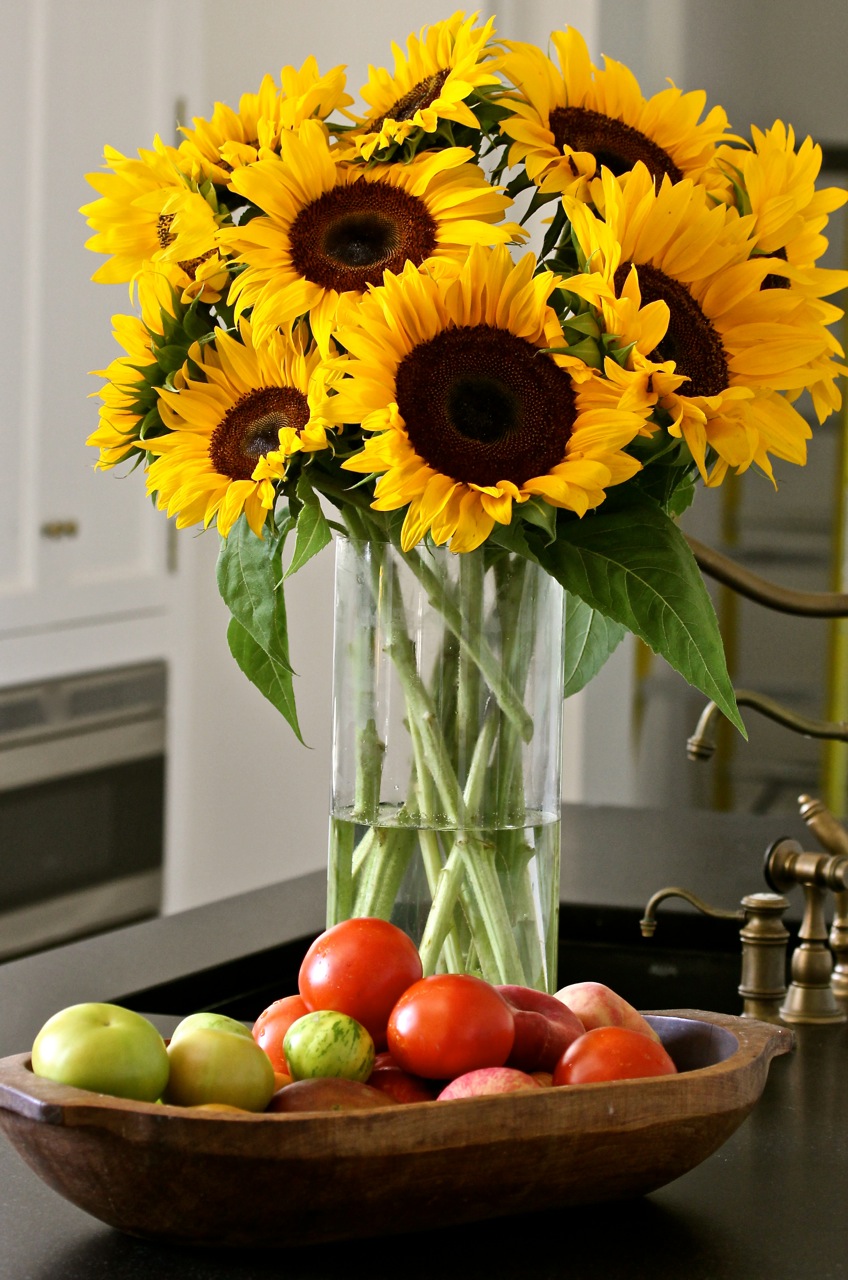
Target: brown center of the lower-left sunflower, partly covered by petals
column 252, row 427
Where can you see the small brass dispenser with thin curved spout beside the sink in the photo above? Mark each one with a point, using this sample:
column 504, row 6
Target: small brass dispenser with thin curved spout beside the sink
column 764, row 947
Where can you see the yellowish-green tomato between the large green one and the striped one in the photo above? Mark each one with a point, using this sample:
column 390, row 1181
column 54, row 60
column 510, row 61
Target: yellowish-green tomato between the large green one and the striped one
column 213, row 1064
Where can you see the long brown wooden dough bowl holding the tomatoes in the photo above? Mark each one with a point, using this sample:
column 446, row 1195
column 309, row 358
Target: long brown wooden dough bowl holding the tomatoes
column 253, row 1181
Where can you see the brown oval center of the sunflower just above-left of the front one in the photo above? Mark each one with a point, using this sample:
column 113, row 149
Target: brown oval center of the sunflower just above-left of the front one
column 348, row 237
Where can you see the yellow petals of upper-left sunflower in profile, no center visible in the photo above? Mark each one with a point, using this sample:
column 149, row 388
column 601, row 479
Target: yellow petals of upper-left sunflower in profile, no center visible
column 230, row 140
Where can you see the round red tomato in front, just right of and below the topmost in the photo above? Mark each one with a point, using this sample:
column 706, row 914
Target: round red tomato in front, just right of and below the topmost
column 450, row 1025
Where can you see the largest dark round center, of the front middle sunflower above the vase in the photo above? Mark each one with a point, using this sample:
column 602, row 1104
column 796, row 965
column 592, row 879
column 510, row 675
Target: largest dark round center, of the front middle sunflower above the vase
column 482, row 405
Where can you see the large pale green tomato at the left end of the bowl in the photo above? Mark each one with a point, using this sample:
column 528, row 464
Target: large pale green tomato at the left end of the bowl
column 106, row 1049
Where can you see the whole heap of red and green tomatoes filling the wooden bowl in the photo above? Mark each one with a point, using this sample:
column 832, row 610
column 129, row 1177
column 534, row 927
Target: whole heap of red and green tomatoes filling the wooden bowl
column 450, row 1036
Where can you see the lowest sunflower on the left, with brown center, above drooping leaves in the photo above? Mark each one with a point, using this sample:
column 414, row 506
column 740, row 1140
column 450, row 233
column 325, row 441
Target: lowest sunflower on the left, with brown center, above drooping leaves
column 256, row 405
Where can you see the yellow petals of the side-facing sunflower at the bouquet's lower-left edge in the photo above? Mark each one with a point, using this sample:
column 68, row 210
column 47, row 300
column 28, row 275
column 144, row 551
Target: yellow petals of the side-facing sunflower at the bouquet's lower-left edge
column 127, row 394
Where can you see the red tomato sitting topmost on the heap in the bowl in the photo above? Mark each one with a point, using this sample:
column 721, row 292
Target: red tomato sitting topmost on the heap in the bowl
column 361, row 968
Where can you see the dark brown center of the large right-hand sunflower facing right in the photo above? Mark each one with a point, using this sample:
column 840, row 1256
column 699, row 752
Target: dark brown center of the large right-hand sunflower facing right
column 691, row 340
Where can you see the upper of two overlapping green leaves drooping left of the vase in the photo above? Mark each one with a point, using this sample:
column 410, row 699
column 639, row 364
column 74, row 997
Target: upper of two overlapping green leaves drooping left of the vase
column 250, row 583
